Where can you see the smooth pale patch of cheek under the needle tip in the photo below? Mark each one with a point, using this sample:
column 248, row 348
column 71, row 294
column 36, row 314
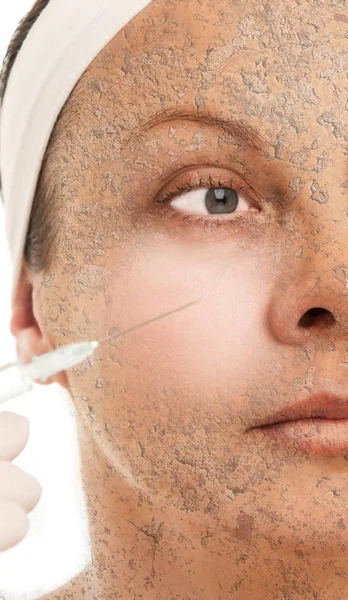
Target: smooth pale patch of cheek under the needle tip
column 210, row 342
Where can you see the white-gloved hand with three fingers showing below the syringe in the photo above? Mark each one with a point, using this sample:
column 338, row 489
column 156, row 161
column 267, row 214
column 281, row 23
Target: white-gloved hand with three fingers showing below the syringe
column 19, row 491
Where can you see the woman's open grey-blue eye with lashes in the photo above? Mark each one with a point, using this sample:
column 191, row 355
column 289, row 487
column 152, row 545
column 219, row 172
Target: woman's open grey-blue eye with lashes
column 217, row 200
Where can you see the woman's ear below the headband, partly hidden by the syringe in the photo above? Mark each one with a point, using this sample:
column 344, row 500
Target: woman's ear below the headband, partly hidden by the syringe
column 31, row 338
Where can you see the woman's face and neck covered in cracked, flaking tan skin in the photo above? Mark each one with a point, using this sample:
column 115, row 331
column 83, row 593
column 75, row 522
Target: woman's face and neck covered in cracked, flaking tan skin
column 185, row 500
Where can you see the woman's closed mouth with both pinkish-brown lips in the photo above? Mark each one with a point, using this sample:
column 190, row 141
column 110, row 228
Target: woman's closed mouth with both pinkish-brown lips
column 316, row 425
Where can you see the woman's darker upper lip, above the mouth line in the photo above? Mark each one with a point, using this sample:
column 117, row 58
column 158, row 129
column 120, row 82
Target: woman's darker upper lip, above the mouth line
column 322, row 405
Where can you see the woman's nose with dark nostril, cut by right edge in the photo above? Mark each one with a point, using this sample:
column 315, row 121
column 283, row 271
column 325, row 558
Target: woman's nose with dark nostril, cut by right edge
column 310, row 298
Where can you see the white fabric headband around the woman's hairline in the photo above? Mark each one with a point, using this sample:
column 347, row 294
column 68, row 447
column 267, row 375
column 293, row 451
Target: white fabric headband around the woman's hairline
column 62, row 43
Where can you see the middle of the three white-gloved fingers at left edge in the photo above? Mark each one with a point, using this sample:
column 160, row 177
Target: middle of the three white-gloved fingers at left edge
column 18, row 486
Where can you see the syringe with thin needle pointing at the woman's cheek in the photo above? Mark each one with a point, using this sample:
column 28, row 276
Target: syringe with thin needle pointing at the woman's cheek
column 17, row 378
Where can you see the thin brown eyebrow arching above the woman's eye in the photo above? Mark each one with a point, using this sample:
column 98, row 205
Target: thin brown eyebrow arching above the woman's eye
column 240, row 130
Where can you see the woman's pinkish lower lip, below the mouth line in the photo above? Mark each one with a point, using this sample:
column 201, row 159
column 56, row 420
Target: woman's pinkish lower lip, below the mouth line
column 311, row 436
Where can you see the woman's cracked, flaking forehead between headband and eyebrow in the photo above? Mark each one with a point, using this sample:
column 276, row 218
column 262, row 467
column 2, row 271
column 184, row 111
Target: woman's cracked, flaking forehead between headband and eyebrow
column 291, row 53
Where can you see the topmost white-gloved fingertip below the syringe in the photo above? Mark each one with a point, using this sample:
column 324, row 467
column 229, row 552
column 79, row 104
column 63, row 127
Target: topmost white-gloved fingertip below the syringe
column 14, row 434
